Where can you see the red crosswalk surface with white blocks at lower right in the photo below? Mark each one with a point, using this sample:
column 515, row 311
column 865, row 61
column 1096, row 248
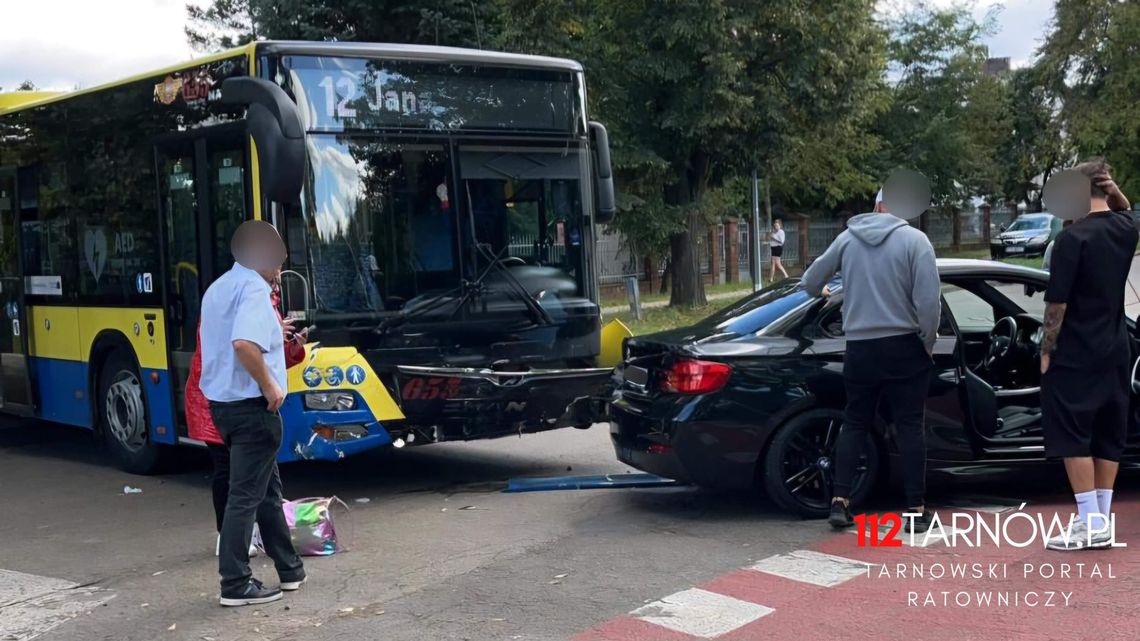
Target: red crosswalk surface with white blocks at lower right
column 832, row 591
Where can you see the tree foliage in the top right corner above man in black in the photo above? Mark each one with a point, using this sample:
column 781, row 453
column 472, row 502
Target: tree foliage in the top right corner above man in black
column 1088, row 60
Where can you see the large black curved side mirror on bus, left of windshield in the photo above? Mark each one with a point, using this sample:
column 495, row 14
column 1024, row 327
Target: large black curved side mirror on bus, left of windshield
column 275, row 124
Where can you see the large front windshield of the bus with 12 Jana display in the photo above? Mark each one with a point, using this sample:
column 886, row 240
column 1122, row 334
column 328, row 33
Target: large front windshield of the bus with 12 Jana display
column 413, row 191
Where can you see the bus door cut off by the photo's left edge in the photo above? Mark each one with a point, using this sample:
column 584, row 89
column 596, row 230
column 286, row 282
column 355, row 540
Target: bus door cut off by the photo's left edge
column 15, row 387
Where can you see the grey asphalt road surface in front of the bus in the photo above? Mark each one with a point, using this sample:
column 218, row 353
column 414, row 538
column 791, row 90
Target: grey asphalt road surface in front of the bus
column 437, row 553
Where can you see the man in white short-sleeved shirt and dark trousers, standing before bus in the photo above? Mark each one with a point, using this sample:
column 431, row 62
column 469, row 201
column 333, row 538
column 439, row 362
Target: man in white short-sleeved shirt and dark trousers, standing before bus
column 243, row 377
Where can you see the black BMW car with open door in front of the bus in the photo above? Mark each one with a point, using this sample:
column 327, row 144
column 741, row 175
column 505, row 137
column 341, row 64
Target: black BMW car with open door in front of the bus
column 754, row 395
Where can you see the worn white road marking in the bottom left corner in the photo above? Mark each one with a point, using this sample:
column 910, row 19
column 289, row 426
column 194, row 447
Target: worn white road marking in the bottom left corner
column 32, row 605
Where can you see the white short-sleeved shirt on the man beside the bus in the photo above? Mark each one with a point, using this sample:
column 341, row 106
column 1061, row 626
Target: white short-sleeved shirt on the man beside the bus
column 238, row 307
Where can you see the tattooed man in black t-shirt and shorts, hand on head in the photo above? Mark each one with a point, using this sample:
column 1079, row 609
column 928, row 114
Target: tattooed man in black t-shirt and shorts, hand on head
column 1086, row 364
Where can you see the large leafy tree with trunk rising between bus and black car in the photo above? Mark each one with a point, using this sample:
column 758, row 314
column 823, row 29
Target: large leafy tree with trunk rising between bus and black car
column 698, row 92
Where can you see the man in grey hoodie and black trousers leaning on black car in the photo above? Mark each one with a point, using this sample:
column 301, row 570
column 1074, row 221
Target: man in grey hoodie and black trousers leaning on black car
column 892, row 310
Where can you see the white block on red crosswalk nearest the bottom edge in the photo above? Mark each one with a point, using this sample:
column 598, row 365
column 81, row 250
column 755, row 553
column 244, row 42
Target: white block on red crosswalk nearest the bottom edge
column 702, row 613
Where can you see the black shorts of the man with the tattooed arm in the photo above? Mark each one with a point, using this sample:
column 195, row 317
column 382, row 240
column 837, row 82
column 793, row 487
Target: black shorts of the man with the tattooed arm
column 1086, row 413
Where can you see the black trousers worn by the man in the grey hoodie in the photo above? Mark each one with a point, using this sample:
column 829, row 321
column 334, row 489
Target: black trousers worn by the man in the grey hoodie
column 895, row 371
